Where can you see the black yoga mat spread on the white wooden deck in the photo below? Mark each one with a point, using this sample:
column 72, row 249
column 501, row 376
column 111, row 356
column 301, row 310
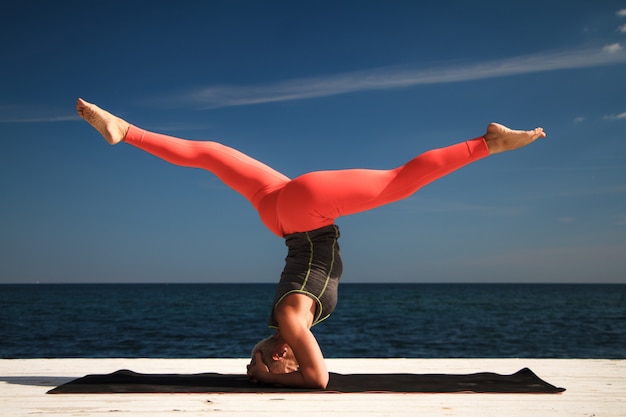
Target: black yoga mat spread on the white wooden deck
column 125, row 381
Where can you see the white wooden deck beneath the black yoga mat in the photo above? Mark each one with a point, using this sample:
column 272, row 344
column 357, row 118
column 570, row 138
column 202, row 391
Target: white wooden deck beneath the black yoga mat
column 595, row 388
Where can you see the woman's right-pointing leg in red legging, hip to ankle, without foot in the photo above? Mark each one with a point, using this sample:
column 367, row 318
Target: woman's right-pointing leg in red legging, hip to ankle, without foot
column 315, row 199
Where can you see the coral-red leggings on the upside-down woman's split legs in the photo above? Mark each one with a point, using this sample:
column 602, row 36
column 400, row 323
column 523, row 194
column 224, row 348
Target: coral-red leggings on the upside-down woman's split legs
column 316, row 199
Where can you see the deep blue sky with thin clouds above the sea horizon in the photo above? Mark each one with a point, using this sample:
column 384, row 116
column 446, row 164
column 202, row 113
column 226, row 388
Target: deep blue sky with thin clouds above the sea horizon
column 309, row 85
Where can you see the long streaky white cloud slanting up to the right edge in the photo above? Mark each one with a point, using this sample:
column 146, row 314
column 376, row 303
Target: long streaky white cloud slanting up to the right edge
column 394, row 77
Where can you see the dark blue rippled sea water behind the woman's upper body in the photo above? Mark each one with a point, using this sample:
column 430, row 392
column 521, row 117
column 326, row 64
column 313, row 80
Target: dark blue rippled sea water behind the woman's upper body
column 371, row 320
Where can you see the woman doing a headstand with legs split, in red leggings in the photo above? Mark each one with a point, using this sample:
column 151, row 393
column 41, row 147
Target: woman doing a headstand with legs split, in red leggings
column 303, row 212
